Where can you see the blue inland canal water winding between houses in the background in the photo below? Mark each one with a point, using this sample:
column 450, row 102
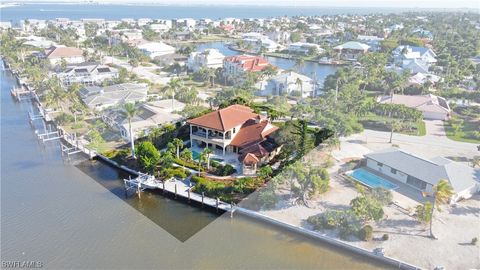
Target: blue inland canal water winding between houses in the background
column 311, row 69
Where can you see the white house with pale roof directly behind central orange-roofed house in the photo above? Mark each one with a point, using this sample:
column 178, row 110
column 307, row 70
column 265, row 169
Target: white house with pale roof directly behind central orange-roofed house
column 288, row 83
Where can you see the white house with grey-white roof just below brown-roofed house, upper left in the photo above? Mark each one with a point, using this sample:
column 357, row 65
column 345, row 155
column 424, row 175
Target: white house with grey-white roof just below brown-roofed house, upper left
column 88, row 74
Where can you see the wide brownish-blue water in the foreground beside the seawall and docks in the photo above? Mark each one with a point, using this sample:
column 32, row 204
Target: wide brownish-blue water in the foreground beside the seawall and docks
column 76, row 216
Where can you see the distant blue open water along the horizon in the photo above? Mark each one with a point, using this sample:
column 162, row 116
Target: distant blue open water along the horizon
column 112, row 12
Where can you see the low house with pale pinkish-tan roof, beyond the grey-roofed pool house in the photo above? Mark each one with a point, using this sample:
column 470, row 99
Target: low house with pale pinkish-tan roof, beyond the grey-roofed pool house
column 432, row 107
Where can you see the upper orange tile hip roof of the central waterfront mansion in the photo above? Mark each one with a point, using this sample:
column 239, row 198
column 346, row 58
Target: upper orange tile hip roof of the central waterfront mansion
column 225, row 119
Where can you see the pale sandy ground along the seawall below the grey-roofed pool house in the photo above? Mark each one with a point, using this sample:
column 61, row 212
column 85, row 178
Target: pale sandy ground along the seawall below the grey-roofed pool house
column 408, row 239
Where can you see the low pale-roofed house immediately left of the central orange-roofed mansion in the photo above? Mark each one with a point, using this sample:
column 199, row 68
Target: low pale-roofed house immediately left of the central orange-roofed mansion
column 149, row 116
